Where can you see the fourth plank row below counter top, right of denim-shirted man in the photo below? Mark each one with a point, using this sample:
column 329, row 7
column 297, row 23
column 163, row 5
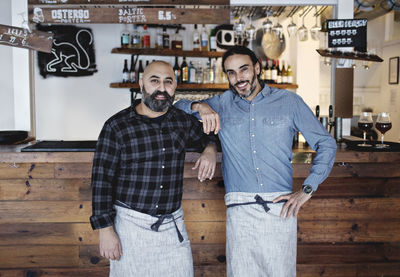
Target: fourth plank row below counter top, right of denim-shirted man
column 373, row 230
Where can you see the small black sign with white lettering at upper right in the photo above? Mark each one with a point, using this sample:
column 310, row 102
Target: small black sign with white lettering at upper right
column 347, row 33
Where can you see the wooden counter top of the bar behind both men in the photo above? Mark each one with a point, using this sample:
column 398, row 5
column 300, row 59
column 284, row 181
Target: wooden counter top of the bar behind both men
column 301, row 154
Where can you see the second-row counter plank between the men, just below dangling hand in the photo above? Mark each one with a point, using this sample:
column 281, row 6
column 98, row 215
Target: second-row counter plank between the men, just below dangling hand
column 207, row 190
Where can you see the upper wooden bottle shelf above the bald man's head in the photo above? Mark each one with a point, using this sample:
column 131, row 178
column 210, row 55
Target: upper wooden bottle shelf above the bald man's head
column 166, row 52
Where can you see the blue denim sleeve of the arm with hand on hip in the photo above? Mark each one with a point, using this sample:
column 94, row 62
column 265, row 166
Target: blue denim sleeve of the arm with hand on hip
column 318, row 139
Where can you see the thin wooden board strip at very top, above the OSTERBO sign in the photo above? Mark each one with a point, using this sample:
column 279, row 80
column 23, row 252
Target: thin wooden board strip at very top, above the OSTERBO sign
column 124, row 2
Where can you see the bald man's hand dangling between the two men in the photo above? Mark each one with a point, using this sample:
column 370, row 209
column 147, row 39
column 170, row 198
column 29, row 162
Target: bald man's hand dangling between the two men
column 206, row 163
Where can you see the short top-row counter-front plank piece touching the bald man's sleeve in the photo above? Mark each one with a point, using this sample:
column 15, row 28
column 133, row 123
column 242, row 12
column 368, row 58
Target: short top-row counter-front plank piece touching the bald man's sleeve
column 73, row 170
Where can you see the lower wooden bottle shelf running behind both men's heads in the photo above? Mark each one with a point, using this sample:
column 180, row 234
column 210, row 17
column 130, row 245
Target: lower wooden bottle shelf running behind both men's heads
column 200, row 86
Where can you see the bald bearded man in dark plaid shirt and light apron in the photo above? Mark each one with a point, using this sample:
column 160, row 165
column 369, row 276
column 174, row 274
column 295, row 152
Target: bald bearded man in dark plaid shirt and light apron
column 137, row 181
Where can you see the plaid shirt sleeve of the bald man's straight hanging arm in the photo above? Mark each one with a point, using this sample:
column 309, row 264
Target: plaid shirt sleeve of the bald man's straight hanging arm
column 105, row 165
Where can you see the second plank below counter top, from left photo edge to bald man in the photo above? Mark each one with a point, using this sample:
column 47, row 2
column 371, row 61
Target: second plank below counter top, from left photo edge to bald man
column 45, row 189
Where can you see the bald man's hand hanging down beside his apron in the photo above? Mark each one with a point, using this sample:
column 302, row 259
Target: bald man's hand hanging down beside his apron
column 110, row 245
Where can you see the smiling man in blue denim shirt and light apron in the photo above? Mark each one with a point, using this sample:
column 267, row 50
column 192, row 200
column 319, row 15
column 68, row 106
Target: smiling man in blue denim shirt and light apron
column 257, row 127
